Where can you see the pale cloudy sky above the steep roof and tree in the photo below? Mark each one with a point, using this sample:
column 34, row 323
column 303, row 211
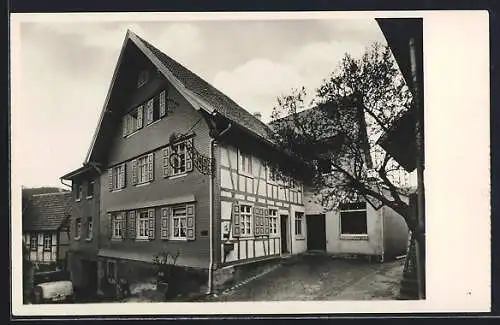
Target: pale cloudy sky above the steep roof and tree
column 67, row 68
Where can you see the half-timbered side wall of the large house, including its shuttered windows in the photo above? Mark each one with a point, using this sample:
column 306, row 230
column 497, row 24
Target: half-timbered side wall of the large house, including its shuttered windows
column 247, row 190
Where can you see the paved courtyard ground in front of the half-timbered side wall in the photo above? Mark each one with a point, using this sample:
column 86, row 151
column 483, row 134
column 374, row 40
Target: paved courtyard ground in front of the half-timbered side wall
column 319, row 277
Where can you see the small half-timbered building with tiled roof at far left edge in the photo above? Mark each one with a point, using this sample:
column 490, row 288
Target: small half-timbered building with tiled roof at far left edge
column 45, row 228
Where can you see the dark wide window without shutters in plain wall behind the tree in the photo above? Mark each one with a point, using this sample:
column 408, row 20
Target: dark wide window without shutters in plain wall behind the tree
column 353, row 219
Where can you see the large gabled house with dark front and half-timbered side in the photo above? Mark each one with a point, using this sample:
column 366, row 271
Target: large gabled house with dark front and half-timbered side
column 176, row 165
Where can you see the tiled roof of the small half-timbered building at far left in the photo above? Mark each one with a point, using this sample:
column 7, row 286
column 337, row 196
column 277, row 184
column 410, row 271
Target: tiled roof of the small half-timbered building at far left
column 46, row 212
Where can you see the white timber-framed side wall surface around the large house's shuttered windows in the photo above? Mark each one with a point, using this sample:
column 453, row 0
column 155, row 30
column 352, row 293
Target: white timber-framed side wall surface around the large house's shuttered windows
column 255, row 189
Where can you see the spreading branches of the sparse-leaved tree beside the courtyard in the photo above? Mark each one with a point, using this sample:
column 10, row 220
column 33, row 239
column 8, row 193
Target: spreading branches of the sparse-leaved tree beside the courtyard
column 335, row 132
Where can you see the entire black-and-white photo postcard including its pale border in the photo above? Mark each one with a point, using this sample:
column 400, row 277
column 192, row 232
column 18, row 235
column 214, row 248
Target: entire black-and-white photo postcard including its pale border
column 167, row 159
